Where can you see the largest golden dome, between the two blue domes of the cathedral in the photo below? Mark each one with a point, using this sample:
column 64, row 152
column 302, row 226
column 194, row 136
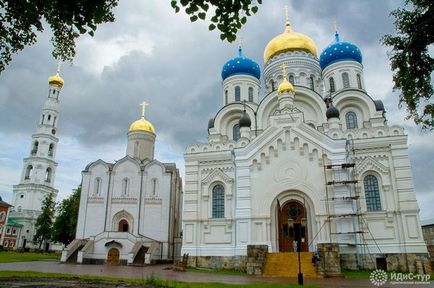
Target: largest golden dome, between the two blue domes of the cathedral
column 289, row 41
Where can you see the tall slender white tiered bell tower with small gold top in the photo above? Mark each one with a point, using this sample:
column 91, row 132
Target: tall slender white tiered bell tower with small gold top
column 39, row 168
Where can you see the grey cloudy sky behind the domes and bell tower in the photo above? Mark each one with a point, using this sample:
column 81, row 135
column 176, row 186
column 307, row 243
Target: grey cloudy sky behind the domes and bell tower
column 150, row 53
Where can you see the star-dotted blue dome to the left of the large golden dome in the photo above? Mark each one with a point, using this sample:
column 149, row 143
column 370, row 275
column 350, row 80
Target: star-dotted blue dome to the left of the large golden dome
column 241, row 65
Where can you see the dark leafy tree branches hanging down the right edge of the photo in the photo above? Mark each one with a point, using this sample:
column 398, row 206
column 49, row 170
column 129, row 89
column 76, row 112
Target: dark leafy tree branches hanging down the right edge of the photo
column 410, row 60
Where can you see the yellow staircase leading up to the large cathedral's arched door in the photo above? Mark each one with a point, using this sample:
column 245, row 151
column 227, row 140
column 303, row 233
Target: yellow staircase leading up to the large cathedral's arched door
column 285, row 264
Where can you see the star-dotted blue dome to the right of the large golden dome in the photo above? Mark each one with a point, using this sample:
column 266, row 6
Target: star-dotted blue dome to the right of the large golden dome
column 339, row 51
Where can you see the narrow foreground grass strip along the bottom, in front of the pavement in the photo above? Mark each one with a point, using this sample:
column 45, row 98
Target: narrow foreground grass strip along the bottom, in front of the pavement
column 150, row 280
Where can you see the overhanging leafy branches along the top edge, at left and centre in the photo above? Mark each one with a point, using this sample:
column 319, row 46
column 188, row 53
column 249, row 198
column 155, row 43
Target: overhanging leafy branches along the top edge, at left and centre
column 22, row 19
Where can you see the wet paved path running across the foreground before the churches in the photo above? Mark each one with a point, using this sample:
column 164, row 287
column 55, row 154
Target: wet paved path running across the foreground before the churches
column 165, row 272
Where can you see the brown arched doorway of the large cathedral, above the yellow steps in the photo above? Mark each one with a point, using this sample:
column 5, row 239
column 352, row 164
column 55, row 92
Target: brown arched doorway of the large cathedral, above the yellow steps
column 290, row 217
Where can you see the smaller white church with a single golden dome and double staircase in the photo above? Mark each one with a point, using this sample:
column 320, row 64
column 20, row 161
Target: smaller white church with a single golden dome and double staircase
column 130, row 210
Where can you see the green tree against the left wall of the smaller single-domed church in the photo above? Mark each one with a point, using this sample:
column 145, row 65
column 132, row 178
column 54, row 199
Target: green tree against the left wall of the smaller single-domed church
column 65, row 225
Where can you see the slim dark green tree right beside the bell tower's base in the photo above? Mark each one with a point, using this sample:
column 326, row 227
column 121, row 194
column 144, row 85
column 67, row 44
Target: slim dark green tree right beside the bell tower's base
column 44, row 222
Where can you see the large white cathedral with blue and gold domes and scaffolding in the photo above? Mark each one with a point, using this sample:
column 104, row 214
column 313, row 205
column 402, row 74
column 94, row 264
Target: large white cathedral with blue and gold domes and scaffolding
column 298, row 164
